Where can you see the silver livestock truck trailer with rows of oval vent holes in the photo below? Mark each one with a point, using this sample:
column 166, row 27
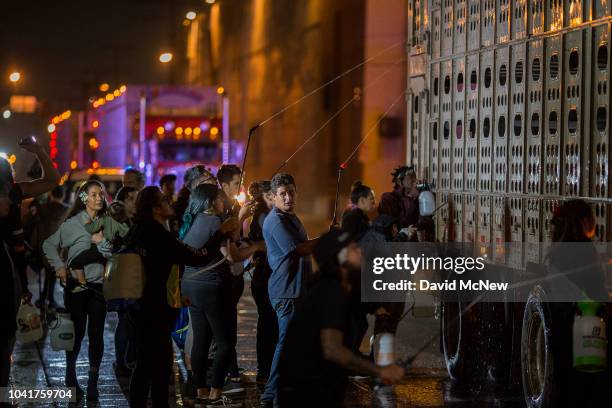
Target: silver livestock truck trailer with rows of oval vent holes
column 508, row 116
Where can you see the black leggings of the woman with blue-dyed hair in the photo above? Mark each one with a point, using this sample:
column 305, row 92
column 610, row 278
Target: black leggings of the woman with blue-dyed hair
column 211, row 317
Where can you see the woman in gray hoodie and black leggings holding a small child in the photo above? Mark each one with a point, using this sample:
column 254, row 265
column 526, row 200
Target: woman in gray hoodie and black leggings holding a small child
column 85, row 301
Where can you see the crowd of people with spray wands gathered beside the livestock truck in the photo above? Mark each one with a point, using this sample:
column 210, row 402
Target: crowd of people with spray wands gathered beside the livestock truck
column 310, row 318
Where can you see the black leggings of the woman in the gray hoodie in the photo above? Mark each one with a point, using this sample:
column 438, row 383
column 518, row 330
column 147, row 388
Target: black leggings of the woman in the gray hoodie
column 85, row 306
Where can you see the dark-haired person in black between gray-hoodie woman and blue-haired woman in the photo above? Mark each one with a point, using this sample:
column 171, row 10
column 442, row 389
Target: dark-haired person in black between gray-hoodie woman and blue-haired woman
column 154, row 318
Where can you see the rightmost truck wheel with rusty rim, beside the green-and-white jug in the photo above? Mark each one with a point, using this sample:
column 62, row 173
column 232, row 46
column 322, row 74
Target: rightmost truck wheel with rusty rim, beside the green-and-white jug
column 546, row 350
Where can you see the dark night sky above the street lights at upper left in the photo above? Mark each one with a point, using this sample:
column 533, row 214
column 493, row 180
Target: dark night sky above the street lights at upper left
column 65, row 49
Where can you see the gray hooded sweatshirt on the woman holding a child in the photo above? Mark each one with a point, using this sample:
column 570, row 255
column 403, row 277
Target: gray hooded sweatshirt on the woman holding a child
column 72, row 235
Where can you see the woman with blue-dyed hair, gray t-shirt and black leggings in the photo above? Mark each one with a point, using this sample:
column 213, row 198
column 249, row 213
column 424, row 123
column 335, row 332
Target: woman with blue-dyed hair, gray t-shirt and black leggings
column 209, row 292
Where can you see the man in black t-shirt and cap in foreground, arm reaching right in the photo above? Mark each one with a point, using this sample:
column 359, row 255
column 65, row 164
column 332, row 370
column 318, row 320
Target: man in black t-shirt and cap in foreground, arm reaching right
column 317, row 352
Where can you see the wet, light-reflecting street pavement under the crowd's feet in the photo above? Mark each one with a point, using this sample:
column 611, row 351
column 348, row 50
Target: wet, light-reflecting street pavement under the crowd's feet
column 427, row 385
